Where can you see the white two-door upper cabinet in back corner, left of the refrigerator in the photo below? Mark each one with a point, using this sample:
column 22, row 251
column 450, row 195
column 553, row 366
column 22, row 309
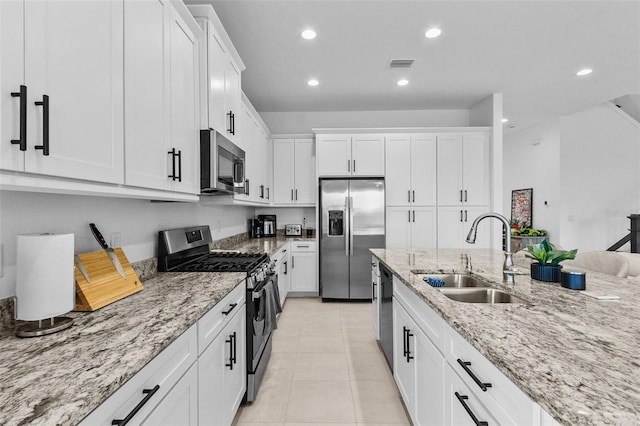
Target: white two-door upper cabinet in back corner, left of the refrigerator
column 294, row 176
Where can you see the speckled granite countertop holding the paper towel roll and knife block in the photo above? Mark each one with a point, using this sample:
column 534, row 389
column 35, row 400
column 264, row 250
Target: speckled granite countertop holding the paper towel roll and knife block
column 59, row 379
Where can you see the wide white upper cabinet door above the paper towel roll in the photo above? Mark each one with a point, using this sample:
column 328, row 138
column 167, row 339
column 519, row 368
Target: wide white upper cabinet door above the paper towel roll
column 74, row 56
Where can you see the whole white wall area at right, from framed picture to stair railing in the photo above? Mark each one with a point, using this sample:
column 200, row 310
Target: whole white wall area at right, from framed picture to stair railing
column 585, row 166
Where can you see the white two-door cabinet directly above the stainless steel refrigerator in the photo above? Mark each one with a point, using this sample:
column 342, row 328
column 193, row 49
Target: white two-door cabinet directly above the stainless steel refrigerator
column 350, row 155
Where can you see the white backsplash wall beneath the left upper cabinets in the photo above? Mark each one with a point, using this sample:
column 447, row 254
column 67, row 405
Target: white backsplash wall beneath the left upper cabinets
column 137, row 221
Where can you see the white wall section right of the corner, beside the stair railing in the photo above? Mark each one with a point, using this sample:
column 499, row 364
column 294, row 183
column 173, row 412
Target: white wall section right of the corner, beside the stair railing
column 600, row 176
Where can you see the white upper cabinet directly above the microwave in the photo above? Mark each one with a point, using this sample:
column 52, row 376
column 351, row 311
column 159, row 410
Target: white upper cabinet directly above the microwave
column 220, row 79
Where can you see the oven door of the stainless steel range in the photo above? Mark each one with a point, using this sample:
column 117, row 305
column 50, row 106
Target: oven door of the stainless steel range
column 260, row 319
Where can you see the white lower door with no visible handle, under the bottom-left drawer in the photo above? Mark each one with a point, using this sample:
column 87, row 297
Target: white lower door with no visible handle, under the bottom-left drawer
column 180, row 406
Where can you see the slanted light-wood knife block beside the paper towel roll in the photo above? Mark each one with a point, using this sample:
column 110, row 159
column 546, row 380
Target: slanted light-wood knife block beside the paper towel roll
column 107, row 285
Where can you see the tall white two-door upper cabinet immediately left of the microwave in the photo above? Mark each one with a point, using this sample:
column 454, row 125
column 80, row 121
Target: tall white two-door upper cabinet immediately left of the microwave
column 161, row 77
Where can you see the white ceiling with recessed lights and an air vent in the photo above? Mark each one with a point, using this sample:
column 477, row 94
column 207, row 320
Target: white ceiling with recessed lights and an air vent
column 527, row 50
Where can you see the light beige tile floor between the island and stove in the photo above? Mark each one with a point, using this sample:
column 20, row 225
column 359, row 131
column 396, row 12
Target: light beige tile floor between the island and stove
column 325, row 368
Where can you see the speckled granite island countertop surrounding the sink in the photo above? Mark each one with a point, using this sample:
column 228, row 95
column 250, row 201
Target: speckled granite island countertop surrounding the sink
column 575, row 355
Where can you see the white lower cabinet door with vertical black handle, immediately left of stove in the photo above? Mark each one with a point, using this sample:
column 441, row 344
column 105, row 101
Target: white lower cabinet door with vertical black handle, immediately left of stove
column 221, row 374
